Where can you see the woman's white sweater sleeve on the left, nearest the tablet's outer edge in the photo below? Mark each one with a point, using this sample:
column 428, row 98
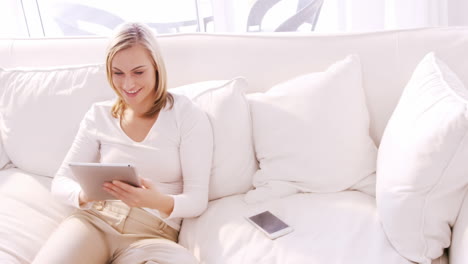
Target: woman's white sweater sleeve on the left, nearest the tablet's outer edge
column 85, row 148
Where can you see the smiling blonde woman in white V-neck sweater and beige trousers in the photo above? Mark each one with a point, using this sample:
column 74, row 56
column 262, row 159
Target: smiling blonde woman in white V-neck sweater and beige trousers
column 169, row 141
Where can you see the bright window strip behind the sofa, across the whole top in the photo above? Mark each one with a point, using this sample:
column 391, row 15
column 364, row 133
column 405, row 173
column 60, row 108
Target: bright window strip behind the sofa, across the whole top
column 57, row 18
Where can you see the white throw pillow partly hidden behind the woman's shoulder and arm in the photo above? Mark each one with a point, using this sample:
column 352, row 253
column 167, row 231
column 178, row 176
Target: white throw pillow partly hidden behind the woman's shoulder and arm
column 234, row 160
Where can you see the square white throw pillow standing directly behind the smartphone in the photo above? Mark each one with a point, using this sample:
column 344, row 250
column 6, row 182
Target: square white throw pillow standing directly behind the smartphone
column 311, row 133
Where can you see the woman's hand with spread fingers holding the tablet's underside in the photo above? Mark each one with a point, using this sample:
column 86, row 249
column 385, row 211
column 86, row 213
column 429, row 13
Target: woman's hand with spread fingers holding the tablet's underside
column 147, row 196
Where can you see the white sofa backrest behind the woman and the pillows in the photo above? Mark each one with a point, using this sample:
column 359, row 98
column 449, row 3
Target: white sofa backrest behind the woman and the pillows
column 388, row 58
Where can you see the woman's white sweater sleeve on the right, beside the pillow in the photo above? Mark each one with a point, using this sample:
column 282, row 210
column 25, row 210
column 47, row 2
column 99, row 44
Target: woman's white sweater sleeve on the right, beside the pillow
column 196, row 151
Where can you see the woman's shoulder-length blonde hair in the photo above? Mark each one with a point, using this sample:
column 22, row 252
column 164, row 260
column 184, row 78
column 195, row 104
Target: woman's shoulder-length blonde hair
column 127, row 35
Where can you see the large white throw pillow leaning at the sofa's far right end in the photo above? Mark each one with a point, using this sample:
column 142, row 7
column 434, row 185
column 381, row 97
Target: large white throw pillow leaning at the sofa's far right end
column 422, row 167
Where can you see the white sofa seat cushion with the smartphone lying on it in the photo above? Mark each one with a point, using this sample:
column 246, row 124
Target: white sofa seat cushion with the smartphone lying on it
column 331, row 228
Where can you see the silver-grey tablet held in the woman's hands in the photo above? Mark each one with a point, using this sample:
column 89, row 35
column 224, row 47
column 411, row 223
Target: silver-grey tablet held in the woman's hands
column 92, row 176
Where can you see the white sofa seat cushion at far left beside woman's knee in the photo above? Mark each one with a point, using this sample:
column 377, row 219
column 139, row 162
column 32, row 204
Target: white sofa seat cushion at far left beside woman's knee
column 28, row 215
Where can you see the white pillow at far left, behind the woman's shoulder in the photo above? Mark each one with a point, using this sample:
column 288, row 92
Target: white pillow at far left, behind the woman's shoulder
column 42, row 109
